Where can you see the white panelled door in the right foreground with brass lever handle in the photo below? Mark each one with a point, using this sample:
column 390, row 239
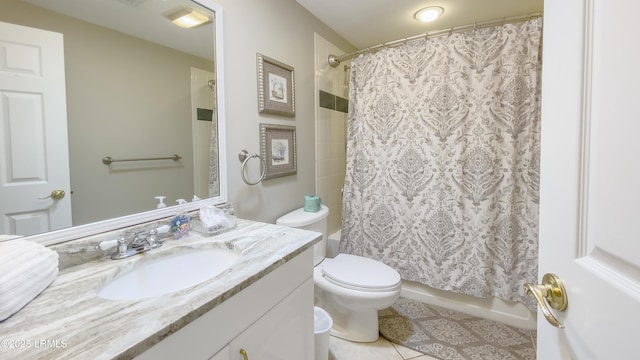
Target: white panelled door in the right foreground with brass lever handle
column 590, row 198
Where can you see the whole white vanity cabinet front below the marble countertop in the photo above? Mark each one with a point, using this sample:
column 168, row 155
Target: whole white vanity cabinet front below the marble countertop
column 270, row 319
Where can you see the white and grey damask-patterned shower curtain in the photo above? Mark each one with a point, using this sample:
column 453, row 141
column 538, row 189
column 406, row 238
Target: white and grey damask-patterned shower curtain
column 443, row 149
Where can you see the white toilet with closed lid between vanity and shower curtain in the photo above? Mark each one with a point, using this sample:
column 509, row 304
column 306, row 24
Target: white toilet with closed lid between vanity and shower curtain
column 350, row 288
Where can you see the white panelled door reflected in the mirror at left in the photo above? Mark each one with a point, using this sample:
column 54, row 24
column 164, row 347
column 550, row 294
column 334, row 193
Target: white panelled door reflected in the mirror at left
column 34, row 159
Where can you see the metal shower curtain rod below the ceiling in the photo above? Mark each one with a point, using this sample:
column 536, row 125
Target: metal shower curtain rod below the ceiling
column 334, row 60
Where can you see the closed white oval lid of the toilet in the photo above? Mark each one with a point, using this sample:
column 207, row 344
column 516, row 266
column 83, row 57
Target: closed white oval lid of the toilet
column 360, row 273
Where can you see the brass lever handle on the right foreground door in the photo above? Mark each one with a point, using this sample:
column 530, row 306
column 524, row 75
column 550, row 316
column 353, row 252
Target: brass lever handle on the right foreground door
column 551, row 292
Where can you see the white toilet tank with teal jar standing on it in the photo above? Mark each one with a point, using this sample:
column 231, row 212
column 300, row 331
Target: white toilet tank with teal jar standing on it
column 309, row 221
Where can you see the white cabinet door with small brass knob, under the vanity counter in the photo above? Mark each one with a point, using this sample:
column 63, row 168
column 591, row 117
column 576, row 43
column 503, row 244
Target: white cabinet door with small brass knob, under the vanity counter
column 284, row 333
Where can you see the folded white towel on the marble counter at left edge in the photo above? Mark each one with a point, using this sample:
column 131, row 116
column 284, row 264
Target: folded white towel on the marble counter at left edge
column 26, row 269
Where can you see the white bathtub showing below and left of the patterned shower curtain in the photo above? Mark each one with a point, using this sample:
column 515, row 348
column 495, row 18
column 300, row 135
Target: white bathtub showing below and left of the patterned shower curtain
column 506, row 312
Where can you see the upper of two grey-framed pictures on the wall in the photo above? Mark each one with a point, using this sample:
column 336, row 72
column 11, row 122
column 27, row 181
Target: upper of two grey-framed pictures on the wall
column 276, row 89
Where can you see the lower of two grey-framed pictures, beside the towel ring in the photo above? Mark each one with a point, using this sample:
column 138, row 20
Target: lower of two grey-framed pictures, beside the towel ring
column 278, row 150
